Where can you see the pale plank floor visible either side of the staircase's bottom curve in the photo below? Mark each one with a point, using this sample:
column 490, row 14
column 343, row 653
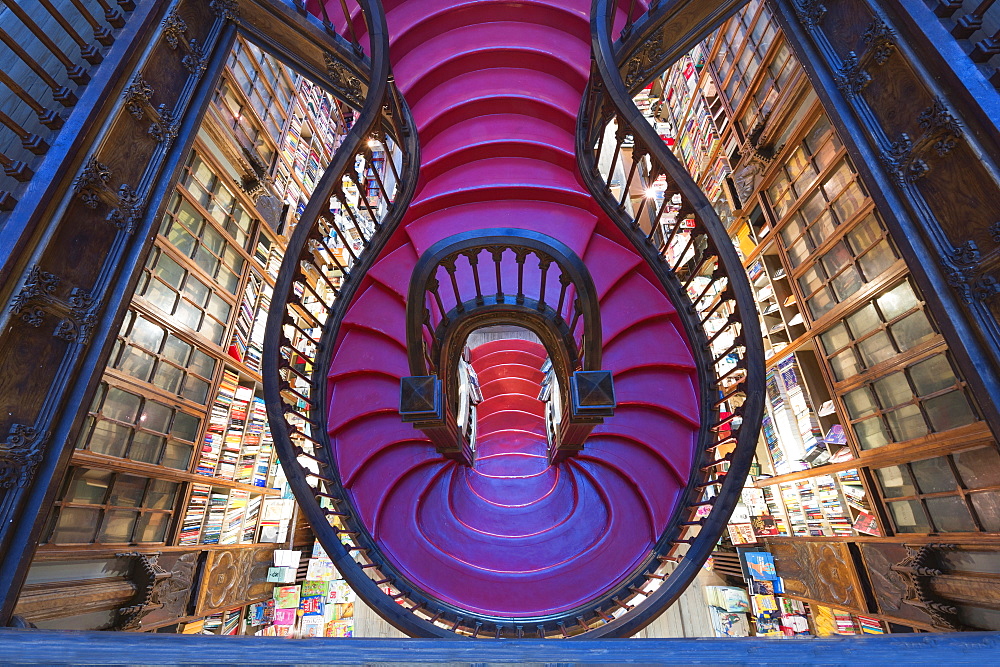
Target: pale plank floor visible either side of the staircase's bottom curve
column 688, row 617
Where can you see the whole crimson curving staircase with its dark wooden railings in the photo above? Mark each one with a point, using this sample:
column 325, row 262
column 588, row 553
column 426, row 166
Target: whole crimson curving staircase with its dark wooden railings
column 569, row 485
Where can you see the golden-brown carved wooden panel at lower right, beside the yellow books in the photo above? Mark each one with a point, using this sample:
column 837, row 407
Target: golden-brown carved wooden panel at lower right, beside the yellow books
column 821, row 571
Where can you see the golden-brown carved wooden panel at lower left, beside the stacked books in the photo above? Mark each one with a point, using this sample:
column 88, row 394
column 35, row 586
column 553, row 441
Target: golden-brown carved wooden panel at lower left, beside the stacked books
column 234, row 577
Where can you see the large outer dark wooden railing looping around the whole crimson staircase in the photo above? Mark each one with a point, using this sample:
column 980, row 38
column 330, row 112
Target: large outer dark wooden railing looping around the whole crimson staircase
column 297, row 358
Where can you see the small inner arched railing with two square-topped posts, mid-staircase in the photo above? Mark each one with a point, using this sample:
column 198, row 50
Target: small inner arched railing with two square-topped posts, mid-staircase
column 440, row 316
